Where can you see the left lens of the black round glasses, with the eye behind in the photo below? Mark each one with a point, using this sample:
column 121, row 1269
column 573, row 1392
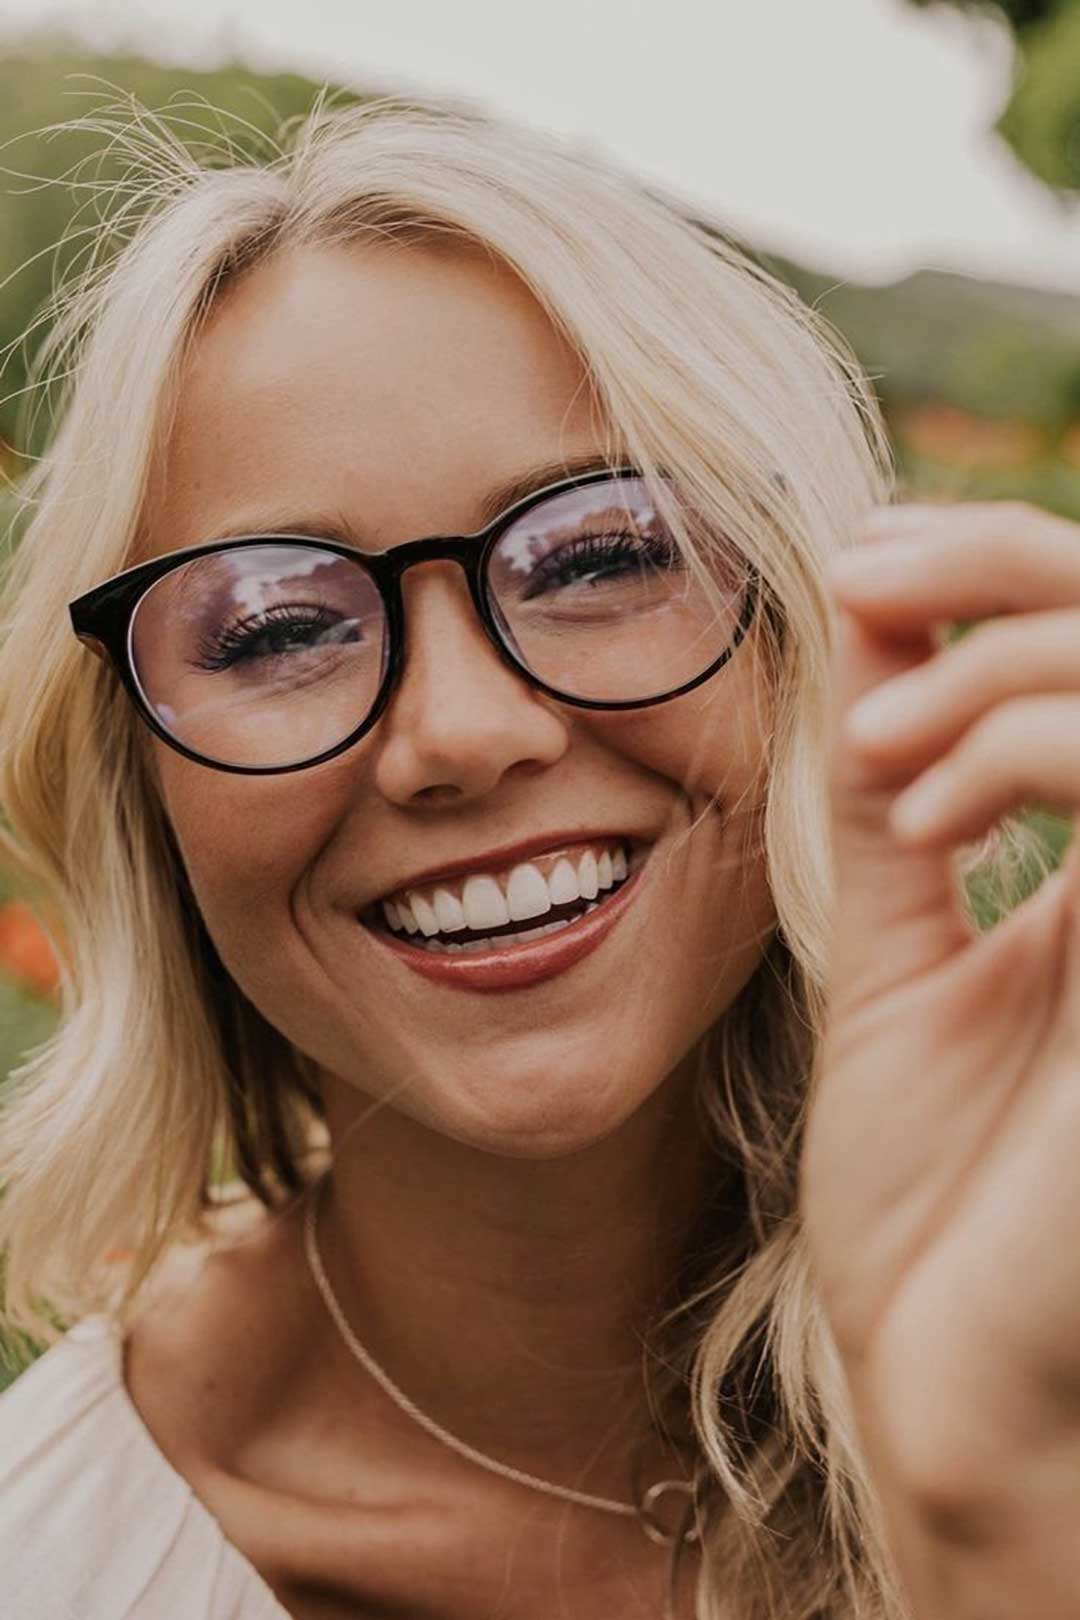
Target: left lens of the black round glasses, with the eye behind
column 261, row 655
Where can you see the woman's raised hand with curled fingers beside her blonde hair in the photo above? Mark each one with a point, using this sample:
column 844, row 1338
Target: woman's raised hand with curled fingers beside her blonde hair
column 942, row 1170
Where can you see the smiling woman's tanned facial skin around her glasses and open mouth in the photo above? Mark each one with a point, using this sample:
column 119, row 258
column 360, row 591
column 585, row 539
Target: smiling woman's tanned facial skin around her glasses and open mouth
column 389, row 393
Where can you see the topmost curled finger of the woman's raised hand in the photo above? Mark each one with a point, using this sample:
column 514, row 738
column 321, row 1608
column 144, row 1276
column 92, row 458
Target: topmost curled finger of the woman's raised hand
column 972, row 561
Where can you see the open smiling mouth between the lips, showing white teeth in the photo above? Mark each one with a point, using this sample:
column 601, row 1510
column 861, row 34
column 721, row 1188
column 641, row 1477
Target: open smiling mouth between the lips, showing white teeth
column 500, row 911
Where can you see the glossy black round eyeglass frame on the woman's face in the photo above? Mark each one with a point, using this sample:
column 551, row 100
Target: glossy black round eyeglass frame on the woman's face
column 103, row 616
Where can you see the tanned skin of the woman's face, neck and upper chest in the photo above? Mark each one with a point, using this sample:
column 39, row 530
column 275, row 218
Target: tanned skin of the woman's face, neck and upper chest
column 514, row 1174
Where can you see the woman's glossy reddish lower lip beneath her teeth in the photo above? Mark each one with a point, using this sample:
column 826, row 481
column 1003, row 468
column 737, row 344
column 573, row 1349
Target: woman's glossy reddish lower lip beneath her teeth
column 519, row 966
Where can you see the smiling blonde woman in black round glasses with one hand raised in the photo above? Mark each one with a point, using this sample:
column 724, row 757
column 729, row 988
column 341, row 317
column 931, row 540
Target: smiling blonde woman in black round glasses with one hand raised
column 425, row 720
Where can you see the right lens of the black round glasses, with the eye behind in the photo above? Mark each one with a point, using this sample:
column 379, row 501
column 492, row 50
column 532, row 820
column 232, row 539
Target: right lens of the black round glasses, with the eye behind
column 598, row 602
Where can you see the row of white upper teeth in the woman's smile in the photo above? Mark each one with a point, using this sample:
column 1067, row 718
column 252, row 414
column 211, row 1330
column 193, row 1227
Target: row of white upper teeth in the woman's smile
column 493, row 900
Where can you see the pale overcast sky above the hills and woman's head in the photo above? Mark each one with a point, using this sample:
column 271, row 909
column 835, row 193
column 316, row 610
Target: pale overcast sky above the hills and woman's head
column 853, row 135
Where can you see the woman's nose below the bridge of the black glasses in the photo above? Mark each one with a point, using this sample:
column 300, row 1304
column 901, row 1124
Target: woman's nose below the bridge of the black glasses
column 461, row 718
